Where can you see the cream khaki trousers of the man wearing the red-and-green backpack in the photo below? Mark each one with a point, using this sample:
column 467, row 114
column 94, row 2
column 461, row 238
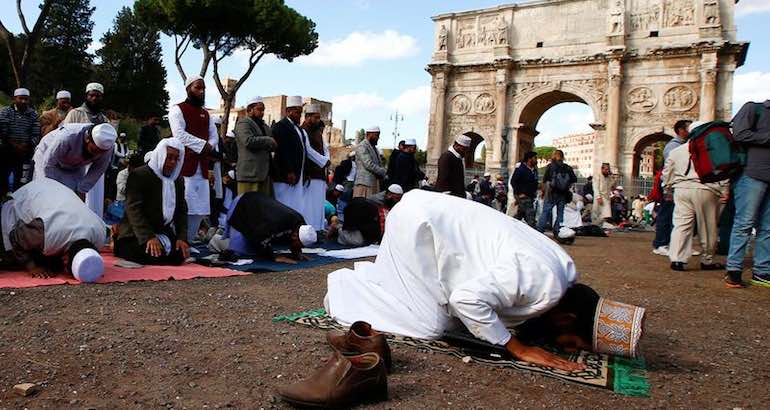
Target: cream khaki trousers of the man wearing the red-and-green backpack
column 693, row 206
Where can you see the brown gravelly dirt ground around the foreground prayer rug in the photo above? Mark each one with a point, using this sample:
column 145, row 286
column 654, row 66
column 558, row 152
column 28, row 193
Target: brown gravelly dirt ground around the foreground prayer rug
column 210, row 343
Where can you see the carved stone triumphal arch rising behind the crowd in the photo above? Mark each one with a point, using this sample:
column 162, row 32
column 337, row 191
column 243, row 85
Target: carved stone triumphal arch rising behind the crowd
column 638, row 64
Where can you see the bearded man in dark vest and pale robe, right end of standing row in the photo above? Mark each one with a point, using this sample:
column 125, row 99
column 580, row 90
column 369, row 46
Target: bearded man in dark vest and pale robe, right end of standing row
column 317, row 164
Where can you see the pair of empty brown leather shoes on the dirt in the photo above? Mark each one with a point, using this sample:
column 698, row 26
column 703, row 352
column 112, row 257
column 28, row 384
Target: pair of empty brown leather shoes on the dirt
column 356, row 372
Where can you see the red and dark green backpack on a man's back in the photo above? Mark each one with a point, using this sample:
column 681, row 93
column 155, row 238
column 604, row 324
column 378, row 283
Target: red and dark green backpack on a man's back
column 714, row 153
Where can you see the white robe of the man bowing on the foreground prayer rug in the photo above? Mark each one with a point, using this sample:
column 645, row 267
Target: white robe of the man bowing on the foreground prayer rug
column 444, row 258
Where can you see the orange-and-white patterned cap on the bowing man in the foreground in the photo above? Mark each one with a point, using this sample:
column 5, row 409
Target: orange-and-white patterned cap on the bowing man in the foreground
column 618, row 327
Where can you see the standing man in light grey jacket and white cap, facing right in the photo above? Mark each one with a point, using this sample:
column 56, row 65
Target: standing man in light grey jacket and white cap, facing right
column 369, row 169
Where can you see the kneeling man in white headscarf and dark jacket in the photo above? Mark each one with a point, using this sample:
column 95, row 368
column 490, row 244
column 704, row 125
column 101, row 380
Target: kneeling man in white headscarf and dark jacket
column 154, row 228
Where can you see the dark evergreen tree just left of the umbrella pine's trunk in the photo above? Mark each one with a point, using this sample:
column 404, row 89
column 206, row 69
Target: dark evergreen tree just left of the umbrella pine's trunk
column 131, row 69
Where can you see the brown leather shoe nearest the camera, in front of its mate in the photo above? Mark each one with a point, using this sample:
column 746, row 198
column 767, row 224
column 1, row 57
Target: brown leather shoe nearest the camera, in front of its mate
column 343, row 382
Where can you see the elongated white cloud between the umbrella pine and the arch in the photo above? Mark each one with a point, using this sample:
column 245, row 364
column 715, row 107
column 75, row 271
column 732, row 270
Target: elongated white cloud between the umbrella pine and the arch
column 358, row 47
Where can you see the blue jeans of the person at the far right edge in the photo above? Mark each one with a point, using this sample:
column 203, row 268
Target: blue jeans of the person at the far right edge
column 752, row 210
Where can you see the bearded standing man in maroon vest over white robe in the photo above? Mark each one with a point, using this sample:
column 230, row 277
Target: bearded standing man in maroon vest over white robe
column 192, row 125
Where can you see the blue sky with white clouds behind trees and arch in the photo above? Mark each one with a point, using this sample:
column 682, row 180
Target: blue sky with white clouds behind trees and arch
column 372, row 56
